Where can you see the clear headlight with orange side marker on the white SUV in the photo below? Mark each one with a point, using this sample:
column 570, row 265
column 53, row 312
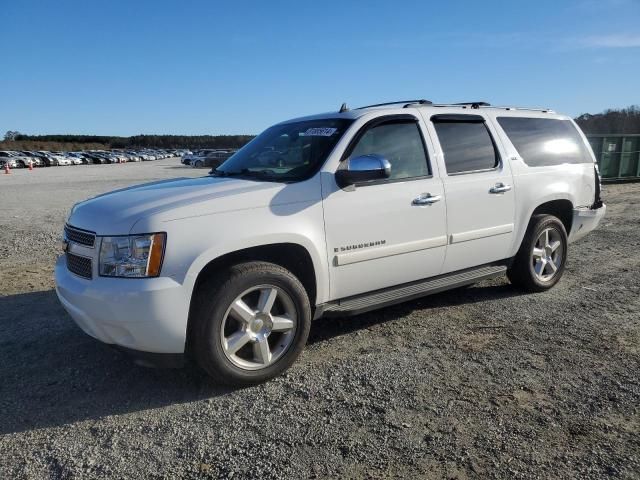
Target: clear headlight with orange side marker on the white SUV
column 134, row 256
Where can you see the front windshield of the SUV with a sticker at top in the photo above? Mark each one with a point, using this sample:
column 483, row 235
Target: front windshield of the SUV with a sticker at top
column 289, row 153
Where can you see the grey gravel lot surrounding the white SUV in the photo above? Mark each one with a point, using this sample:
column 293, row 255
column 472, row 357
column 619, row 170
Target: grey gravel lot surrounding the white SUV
column 483, row 382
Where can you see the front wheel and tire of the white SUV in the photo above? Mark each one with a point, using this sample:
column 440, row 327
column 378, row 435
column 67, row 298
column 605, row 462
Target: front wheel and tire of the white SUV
column 228, row 341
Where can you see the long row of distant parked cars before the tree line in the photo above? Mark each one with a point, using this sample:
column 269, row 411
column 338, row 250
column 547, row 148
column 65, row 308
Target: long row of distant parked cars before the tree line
column 43, row 158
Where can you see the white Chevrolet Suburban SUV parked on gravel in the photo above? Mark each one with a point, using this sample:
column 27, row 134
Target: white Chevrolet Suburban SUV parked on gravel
column 332, row 214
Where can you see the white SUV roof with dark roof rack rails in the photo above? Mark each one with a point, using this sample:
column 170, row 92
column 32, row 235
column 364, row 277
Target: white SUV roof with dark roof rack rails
column 433, row 108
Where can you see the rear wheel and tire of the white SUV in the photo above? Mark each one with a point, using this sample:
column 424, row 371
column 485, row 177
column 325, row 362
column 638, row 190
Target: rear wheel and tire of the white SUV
column 541, row 259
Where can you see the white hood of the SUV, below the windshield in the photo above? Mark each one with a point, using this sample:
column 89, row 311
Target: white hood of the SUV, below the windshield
column 116, row 212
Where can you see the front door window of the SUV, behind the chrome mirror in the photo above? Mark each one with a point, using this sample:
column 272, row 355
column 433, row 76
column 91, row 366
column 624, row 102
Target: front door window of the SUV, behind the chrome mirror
column 401, row 144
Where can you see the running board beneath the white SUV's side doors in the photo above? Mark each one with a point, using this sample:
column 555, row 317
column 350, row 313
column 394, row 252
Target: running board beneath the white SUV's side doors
column 401, row 293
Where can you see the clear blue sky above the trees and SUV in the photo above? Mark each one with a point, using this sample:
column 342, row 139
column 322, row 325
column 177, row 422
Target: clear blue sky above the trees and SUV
column 206, row 67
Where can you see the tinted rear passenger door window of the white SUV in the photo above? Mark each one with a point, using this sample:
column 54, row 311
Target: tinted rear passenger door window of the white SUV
column 466, row 146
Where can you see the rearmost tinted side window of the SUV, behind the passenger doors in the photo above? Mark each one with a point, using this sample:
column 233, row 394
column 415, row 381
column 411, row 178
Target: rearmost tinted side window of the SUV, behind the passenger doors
column 545, row 141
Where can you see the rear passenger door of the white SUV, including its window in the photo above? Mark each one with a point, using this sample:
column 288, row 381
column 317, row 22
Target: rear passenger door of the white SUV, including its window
column 478, row 188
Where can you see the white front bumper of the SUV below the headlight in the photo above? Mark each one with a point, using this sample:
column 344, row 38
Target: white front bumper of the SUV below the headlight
column 144, row 314
